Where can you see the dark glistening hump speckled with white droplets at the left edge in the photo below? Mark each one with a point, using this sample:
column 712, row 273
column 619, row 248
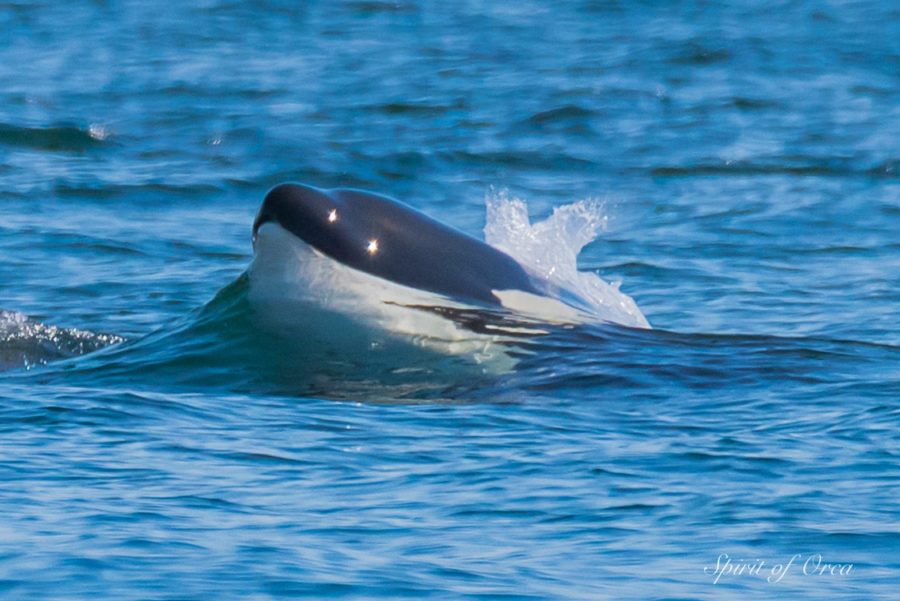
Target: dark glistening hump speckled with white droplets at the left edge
column 25, row 342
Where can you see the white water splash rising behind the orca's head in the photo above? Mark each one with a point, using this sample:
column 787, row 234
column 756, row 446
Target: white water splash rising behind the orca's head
column 550, row 249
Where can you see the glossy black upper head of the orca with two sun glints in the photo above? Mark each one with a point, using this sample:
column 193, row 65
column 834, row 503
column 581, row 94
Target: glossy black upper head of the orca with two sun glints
column 388, row 239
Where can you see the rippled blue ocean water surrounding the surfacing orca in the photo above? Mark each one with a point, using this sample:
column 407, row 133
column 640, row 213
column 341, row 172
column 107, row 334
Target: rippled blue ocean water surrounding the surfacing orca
column 156, row 444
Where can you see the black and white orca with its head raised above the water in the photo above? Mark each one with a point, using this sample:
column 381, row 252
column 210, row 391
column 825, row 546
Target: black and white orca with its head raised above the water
column 375, row 260
